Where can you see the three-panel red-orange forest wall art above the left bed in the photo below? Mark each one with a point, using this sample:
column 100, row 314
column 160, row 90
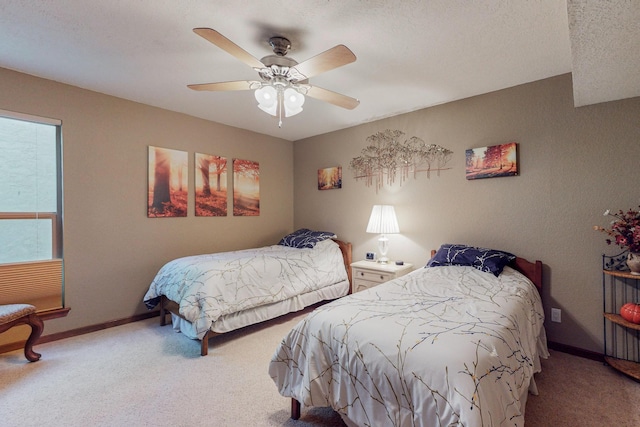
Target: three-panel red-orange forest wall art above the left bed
column 168, row 189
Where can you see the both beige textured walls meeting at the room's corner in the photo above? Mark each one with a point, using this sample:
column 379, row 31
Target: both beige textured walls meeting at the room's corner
column 575, row 163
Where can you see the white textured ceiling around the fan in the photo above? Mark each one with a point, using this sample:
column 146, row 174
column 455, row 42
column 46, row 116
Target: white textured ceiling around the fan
column 411, row 54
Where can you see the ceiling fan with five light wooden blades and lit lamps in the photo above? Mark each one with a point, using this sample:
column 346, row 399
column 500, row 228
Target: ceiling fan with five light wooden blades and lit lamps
column 284, row 82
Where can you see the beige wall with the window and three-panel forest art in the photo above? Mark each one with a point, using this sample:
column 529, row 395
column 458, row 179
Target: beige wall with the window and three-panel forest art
column 112, row 250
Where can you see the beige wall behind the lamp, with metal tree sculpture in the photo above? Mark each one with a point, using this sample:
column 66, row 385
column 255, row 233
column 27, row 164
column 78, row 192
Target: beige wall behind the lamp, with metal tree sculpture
column 574, row 163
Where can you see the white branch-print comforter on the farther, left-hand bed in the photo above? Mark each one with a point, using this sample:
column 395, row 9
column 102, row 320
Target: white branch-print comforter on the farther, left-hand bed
column 209, row 286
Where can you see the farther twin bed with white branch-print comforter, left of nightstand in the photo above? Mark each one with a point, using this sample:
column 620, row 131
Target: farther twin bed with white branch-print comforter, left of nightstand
column 224, row 291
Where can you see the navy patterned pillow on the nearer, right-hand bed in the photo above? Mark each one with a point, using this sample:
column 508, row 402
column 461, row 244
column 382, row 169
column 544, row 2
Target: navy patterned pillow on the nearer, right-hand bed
column 487, row 260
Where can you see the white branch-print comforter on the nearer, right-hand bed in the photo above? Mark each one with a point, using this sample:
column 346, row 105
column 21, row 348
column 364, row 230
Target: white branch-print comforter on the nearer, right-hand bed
column 442, row 346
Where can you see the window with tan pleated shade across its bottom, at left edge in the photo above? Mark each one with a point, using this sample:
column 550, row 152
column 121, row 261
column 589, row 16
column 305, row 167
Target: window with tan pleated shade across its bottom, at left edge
column 31, row 267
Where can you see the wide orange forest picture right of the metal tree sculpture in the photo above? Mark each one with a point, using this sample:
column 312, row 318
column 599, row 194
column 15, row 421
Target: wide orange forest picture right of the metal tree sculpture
column 493, row 161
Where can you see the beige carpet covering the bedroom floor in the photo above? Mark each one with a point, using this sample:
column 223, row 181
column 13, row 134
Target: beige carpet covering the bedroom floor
column 143, row 374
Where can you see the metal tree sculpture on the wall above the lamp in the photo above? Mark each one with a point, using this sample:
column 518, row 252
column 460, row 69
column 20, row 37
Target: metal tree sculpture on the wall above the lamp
column 386, row 156
